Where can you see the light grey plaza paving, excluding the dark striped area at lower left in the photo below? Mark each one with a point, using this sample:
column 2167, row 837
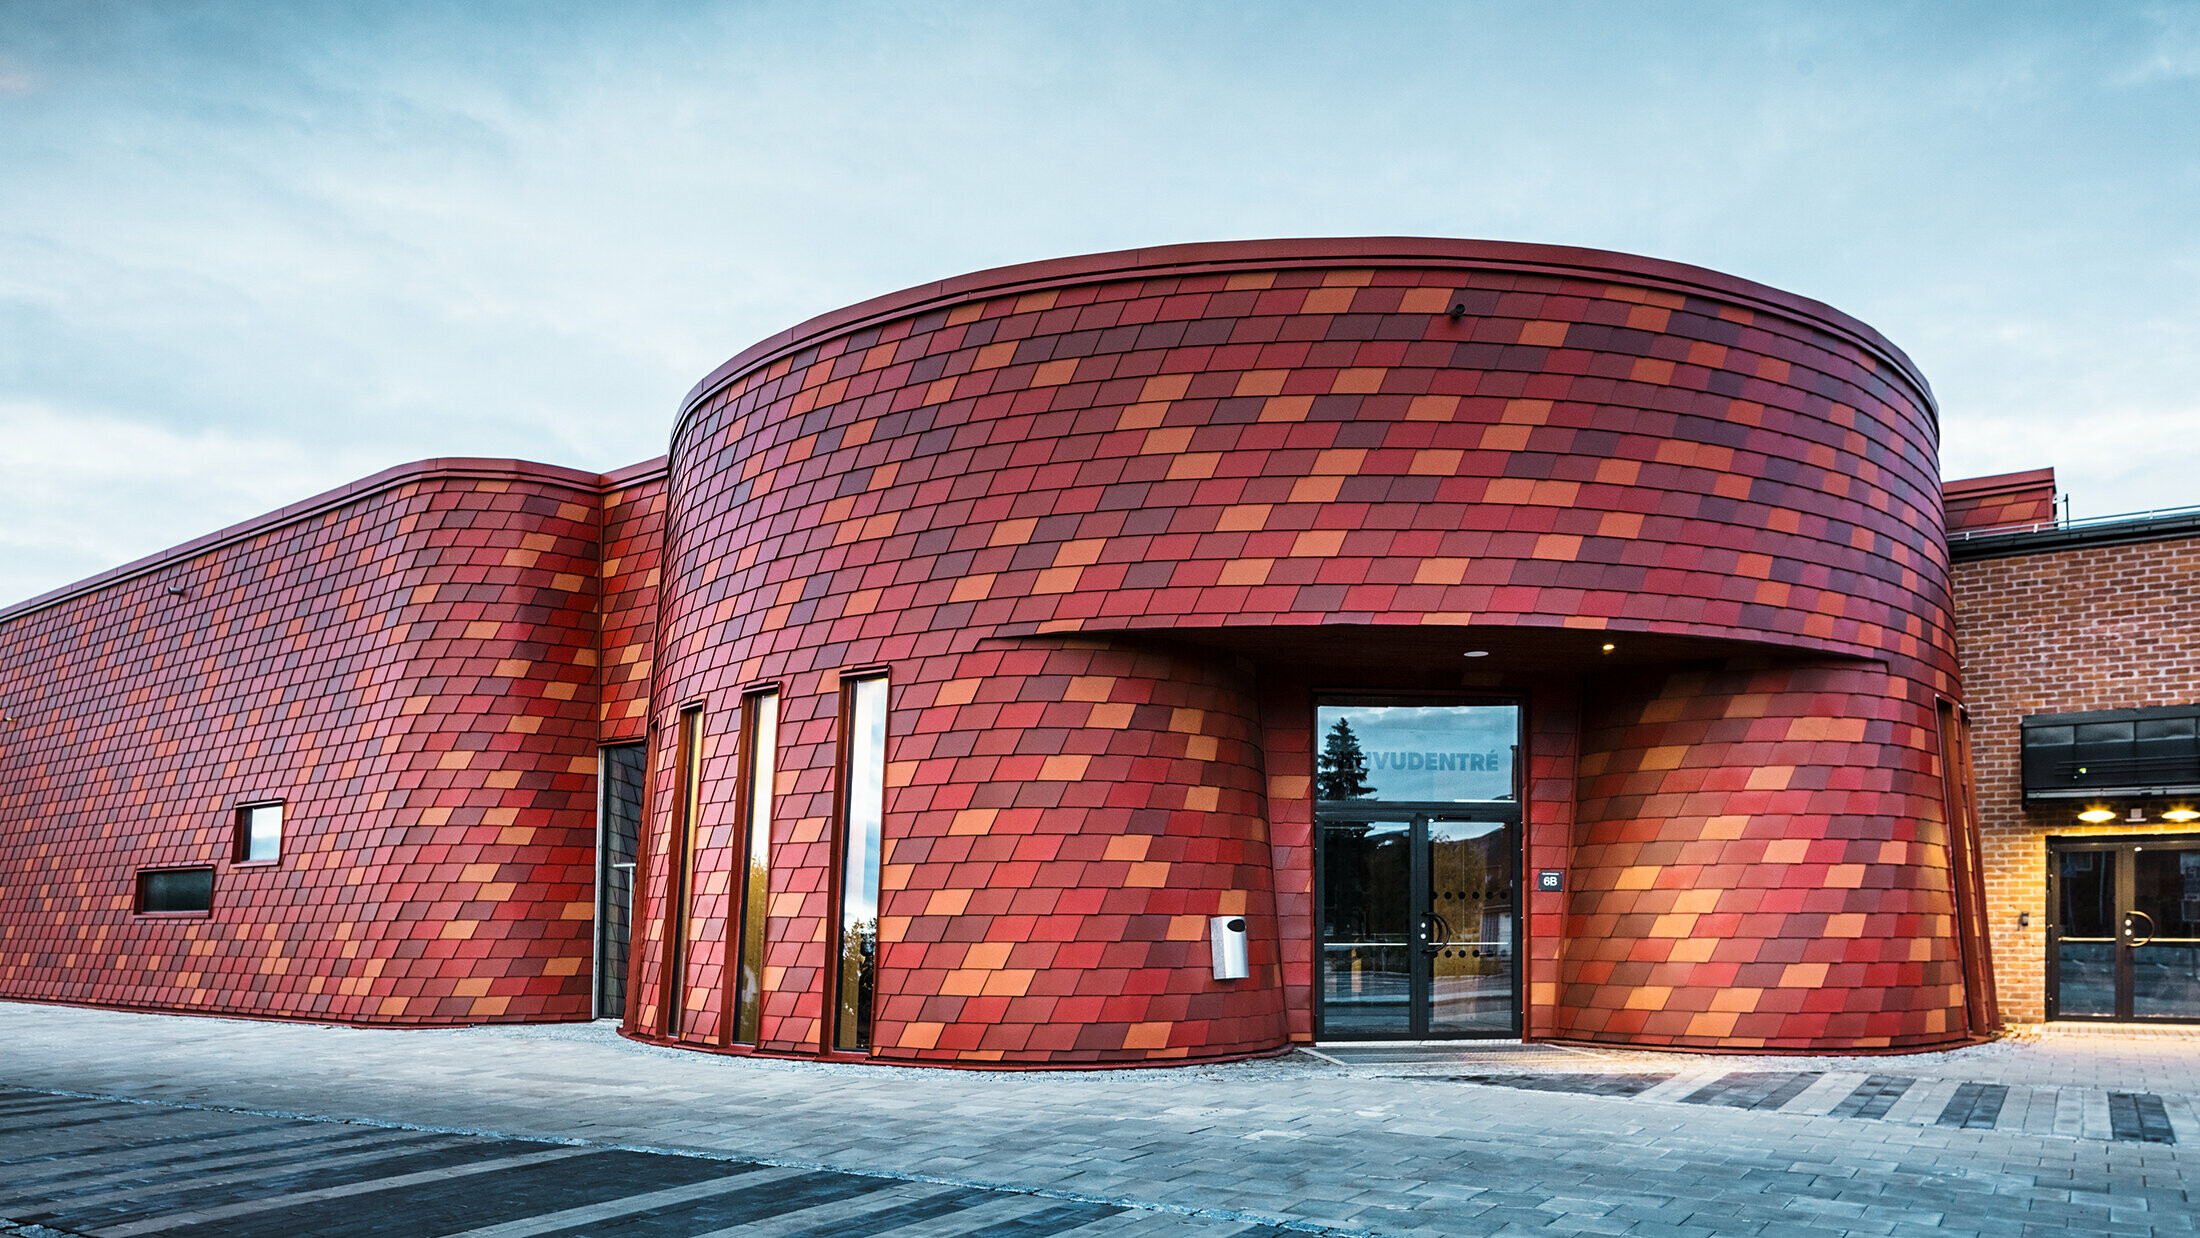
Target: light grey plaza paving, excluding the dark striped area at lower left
column 1215, row 1151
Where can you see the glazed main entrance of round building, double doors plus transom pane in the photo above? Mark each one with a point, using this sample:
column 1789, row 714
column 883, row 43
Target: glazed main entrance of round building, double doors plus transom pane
column 1420, row 841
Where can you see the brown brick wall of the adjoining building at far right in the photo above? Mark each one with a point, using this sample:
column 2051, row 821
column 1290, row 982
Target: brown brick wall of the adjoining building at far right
column 2062, row 632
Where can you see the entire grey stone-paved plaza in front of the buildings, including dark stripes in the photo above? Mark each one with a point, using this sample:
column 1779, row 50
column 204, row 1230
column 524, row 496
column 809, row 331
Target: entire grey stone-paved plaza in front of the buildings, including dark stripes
column 122, row 1125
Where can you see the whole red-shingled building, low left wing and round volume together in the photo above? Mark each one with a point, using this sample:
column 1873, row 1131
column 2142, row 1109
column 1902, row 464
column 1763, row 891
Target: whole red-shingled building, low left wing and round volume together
column 1130, row 659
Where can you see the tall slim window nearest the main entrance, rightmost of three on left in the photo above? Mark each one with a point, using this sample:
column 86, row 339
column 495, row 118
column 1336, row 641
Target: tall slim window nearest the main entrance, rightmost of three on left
column 863, row 813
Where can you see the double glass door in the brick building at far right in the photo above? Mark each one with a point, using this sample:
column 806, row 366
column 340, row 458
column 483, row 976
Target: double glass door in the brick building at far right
column 2124, row 938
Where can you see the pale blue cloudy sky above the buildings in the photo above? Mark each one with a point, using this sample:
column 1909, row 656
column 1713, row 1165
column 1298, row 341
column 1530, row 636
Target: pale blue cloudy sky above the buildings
column 252, row 252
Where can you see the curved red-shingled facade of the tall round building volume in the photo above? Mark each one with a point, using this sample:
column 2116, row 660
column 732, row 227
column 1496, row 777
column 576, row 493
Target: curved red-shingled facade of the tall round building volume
column 1121, row 529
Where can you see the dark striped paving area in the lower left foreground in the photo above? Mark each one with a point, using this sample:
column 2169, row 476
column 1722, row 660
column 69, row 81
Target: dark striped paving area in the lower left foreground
column 140, row 1171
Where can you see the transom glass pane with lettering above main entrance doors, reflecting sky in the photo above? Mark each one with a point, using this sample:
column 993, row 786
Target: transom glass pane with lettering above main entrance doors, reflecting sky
column 1431, row 753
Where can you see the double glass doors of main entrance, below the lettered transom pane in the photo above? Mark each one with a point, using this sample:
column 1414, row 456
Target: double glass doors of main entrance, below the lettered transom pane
column 1418, row 925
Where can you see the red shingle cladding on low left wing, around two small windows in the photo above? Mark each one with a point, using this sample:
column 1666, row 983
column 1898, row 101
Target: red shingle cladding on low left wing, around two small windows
column 410, row 672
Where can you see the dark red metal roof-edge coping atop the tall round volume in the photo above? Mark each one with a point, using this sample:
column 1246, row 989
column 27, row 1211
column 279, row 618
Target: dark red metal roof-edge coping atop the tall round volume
column 1306, row 252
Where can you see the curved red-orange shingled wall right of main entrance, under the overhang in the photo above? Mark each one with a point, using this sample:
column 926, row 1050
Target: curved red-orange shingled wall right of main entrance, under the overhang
column 1761, row 861
